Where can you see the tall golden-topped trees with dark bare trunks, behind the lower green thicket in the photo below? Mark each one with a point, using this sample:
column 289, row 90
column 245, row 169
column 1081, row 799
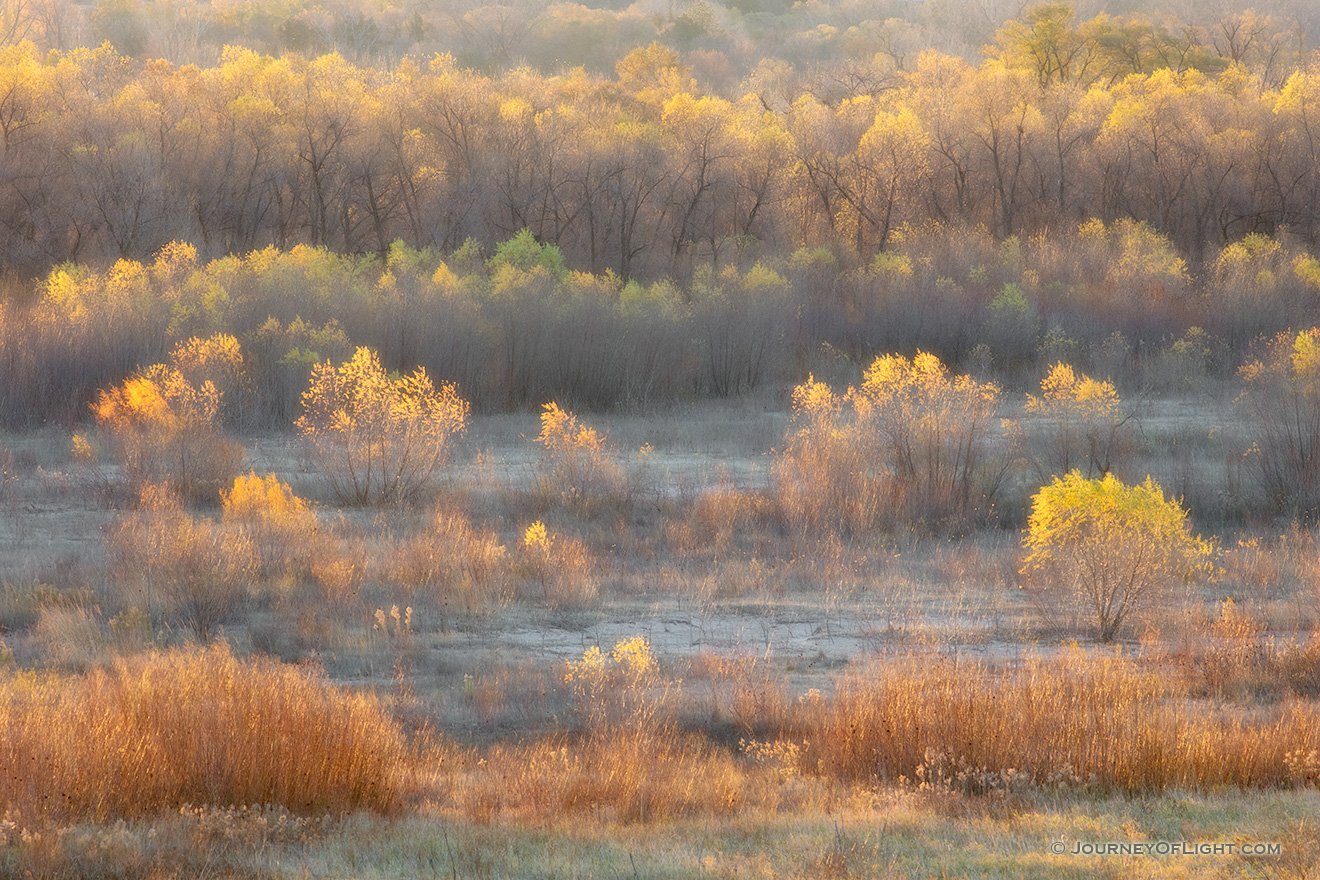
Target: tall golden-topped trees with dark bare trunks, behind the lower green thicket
column 642, row 173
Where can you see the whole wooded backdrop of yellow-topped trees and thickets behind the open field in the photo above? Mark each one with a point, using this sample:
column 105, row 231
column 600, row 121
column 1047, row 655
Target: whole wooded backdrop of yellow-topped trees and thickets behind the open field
column 1132, row 192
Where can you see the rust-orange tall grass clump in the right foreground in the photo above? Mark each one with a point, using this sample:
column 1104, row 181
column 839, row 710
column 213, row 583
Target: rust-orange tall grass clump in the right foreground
column 1075, row 721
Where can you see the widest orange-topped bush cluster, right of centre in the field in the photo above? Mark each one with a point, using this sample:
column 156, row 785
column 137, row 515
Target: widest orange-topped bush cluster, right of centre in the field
column 911, row 445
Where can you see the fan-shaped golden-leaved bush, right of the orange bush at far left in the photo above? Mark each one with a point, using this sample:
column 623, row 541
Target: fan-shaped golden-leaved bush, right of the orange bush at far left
column 378, row 439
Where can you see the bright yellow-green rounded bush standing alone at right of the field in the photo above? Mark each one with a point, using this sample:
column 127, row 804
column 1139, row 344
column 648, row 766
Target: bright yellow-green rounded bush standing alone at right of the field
column 1112, row 548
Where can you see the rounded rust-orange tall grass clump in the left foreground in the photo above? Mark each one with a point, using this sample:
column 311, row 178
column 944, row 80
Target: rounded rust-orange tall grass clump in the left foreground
column 192, row 728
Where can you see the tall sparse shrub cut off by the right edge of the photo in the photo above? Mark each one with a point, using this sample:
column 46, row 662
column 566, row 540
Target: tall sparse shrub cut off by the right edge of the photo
column 1282, row 403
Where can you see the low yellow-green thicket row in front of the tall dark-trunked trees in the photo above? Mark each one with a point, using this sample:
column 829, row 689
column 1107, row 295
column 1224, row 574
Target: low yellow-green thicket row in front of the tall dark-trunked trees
column 519, row 328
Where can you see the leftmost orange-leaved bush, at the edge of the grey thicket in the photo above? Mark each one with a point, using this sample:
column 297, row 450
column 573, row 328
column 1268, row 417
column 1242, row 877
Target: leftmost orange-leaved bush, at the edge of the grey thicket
column 164, row 423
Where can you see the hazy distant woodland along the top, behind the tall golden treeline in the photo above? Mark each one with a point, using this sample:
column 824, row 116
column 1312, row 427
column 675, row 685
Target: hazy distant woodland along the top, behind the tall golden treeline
column 823, row 47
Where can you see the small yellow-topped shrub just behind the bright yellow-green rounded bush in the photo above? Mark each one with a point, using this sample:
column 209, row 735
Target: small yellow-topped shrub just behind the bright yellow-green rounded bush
column 1084, row 424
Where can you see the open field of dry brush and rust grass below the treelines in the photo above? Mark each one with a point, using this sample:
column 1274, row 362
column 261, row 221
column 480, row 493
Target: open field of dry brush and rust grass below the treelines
column 634, row 662
